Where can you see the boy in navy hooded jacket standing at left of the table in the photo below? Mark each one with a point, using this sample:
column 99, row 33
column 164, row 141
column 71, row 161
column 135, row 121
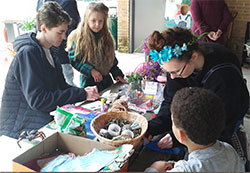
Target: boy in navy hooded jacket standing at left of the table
column 35, row 85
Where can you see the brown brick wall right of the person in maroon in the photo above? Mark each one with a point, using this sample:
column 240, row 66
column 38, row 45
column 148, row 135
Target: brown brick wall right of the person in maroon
column 239, row 25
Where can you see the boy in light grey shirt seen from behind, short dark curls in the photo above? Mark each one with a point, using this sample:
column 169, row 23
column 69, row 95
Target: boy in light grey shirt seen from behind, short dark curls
column 198, row 118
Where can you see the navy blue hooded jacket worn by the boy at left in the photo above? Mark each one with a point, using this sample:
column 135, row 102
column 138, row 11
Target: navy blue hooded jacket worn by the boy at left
column 33, row 88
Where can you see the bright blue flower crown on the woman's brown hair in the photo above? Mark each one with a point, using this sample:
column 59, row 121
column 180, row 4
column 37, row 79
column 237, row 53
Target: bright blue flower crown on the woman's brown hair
column 167, row 53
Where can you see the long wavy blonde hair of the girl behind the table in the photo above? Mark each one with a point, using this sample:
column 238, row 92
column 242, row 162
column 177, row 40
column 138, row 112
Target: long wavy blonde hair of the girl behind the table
column 84, row 39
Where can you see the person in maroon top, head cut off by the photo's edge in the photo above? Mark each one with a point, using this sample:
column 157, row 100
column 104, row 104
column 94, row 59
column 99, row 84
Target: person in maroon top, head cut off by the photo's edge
column 210, row 16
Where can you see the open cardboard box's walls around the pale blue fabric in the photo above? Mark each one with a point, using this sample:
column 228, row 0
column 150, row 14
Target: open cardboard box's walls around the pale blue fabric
column 58, row 141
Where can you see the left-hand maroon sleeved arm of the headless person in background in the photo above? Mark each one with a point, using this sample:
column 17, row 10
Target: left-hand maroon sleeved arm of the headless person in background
column 198, row 18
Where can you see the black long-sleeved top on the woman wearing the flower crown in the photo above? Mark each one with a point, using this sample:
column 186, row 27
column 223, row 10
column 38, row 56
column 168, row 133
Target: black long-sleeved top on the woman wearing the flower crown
column 227, row 83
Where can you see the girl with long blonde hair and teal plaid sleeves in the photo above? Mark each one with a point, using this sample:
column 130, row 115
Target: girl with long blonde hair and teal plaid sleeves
column 91, row 49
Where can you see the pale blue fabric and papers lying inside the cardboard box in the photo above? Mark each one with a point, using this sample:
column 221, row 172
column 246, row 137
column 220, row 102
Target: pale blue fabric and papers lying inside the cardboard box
column 96, row 160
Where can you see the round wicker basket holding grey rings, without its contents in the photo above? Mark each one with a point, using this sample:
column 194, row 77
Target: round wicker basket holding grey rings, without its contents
column 100, row 121
